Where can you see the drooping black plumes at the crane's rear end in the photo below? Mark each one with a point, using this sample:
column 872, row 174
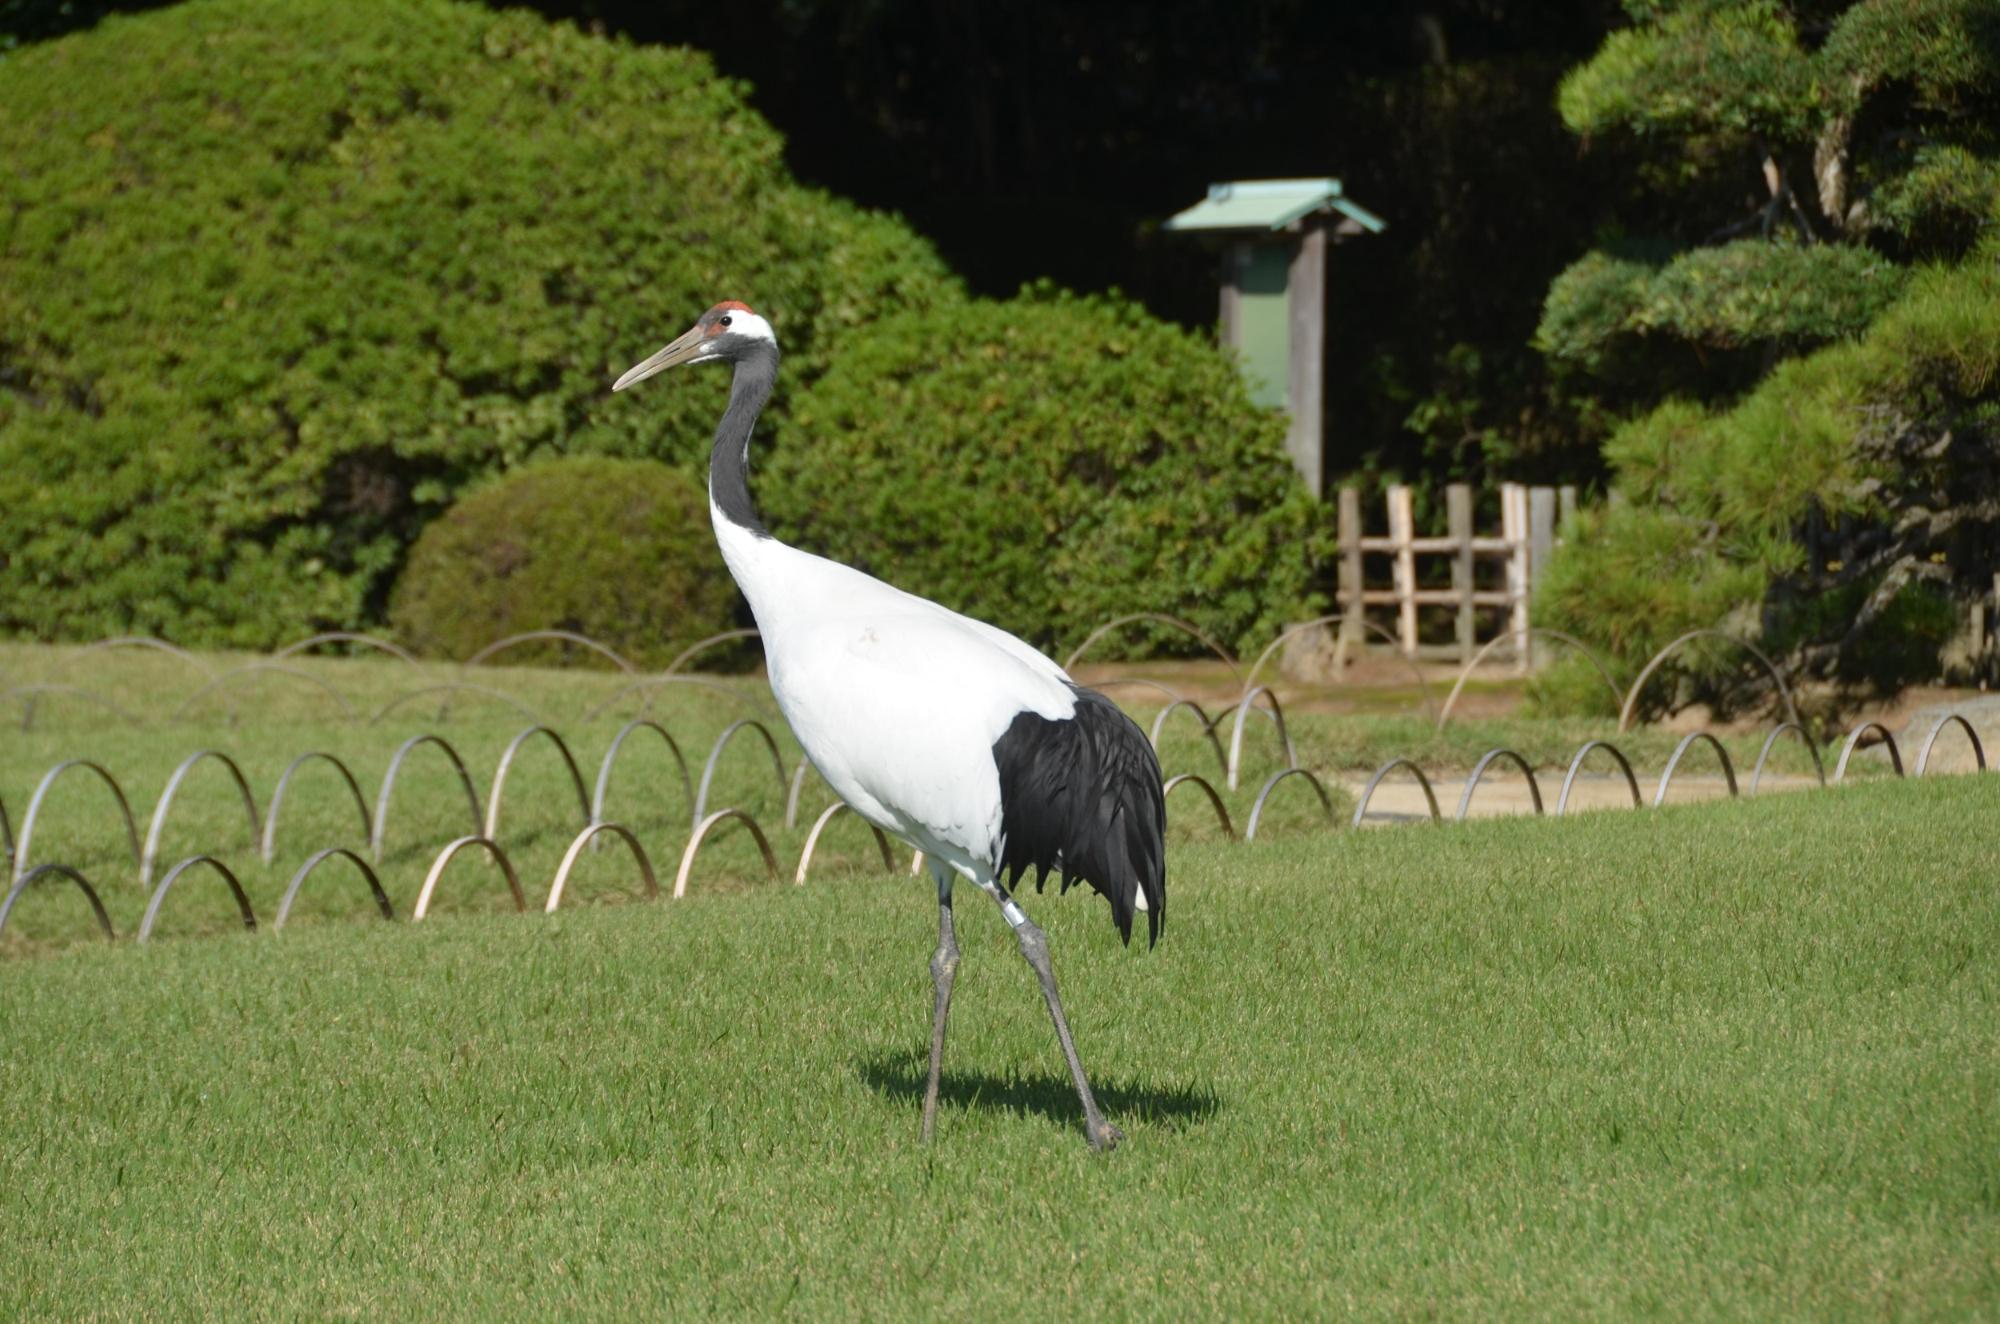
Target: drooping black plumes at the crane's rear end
column 1083, row 797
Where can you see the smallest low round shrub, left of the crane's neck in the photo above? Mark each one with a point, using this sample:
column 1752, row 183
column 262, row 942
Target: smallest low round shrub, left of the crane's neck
column 613, row 549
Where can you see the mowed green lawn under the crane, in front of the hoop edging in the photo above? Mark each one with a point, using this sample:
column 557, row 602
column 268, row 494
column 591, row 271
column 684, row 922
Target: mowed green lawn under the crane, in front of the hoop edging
column 1715, row 1061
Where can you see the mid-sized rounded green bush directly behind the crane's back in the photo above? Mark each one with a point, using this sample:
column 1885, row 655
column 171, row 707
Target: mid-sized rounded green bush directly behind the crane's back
column 1047, row 465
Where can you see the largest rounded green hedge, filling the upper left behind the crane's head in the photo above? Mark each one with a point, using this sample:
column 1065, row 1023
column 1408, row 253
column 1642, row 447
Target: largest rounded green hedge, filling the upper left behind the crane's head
column 293, row 275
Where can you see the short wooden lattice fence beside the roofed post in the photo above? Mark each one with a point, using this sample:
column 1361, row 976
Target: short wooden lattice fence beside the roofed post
column 1529, row 521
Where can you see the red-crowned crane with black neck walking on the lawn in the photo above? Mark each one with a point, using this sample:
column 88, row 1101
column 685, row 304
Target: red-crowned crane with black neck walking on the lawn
column 935, row 727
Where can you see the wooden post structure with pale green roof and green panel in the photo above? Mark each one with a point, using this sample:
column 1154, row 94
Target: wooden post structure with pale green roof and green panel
column 1275, row 293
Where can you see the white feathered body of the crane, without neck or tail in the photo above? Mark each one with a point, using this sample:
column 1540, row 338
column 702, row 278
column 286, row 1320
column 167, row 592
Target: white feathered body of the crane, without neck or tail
column 895, row 699
